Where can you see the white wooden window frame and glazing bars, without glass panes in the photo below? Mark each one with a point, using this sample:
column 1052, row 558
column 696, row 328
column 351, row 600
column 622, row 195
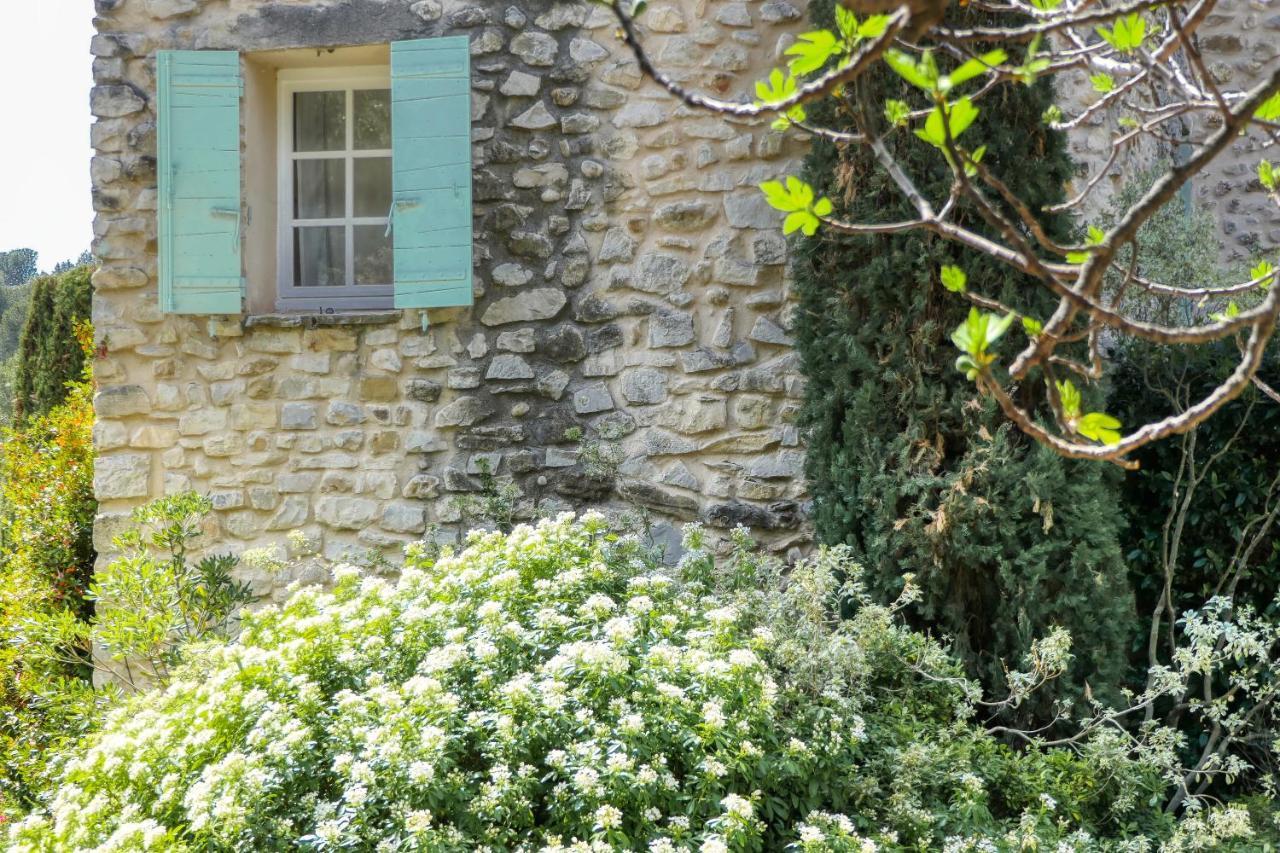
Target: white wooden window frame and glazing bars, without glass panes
column 324, row 299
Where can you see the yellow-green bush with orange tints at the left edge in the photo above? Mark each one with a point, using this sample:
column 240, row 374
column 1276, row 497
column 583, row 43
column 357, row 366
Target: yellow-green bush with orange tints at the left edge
column 47, row 559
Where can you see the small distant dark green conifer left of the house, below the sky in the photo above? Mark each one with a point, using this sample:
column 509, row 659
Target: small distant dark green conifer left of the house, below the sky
column 49, row 355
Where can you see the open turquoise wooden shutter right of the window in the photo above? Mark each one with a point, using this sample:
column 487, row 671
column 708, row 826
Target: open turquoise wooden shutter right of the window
column 432, row 172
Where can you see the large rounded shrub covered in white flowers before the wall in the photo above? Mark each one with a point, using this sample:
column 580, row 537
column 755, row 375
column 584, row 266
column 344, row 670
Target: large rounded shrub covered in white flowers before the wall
column 556, row 690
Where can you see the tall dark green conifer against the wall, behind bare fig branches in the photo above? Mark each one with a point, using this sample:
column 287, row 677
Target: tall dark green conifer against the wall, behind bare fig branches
column 908, row 464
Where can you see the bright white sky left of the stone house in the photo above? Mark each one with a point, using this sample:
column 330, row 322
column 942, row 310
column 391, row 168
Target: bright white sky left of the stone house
column 45, row 79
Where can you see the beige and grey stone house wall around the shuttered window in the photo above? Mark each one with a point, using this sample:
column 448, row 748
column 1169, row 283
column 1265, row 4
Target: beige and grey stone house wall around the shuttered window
column 629, row 281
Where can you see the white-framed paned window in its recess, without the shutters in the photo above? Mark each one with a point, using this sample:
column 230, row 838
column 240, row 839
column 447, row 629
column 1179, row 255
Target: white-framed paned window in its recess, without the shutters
column 335, row 189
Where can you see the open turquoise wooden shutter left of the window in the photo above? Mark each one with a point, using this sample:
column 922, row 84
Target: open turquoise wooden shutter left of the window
column 199, row 142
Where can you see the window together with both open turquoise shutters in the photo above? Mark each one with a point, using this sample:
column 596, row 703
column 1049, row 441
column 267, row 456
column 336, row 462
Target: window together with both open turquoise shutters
column 277, row 174
